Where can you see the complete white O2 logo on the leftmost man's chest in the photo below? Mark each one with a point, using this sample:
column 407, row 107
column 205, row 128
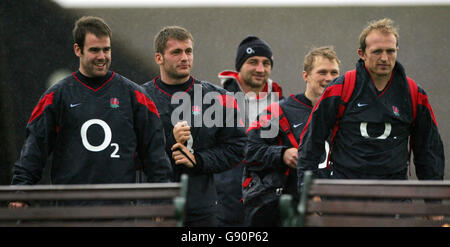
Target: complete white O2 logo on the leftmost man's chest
column 106, row 142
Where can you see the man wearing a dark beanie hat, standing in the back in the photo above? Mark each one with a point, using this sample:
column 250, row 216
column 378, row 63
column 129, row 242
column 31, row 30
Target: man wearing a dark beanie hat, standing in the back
column 253, row 64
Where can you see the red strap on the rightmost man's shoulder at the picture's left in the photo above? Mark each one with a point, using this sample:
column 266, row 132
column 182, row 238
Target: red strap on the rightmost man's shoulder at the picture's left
column 346, row 94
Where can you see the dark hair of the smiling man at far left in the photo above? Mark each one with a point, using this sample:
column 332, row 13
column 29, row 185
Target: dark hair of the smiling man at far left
column 89, row 24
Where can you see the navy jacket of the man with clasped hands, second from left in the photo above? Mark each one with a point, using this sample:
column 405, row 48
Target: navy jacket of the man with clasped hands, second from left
column 216, row 148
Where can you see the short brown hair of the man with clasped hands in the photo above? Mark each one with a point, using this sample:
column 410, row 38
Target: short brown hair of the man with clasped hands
column 170, row 32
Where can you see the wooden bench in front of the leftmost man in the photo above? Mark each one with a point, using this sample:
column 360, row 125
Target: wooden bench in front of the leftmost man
column 159, row 204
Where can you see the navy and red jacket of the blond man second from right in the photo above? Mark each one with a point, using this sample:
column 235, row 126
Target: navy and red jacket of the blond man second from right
column 265, row 173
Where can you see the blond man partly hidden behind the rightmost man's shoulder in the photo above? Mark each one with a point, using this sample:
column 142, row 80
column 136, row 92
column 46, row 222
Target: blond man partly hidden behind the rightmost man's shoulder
column 271, row 161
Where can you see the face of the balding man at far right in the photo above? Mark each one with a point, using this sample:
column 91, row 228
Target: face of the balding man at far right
column 380, row 53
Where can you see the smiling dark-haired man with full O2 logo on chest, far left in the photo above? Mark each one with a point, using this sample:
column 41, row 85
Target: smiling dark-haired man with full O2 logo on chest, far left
column 93, row 121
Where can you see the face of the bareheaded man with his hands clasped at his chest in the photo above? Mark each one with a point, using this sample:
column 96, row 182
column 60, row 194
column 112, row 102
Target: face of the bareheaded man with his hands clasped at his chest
column 176, row 62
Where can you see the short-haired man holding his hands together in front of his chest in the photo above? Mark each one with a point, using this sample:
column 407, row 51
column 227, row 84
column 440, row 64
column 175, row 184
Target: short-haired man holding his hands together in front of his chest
column 196, row 147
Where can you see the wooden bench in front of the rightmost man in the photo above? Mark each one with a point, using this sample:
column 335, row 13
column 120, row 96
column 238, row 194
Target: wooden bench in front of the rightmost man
column 370, row 203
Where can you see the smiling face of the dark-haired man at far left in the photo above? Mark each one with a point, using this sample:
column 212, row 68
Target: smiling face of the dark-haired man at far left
column 95, row 58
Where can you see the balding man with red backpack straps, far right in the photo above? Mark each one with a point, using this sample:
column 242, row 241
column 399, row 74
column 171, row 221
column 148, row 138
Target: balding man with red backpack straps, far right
column 371, row 140
